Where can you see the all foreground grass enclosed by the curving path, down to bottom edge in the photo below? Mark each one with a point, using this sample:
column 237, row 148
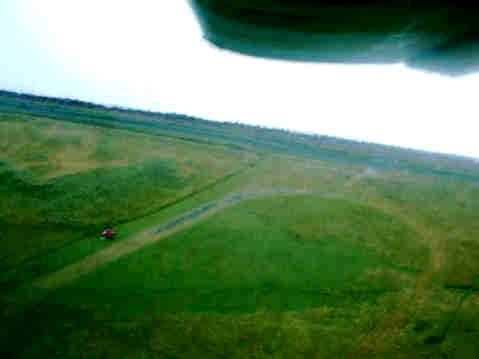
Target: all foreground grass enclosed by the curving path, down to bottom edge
column 253, row 280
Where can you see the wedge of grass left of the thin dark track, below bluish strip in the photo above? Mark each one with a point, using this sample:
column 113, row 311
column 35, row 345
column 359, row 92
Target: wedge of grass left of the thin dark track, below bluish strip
column 62, row 182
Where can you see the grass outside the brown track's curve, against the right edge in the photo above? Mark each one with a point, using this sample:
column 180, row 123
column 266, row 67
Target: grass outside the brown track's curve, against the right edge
column 447, row 208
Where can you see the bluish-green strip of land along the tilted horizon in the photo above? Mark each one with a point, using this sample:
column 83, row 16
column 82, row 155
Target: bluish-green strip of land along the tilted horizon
column 241, row 137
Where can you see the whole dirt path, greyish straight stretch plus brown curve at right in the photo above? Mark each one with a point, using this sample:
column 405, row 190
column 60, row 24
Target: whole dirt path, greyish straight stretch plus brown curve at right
column 370, row 345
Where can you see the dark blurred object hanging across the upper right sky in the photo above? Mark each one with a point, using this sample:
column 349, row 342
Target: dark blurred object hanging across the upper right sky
column 439, row 36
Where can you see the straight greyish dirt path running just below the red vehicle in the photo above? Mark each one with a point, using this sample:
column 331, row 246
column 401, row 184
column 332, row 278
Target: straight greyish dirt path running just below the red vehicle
column 119, row 249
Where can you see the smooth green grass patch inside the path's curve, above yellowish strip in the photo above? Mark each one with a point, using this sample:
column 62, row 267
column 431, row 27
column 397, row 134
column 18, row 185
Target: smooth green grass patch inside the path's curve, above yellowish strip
column 258, row 255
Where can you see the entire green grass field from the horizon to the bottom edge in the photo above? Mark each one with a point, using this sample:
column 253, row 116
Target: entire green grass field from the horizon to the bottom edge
column 347, row 250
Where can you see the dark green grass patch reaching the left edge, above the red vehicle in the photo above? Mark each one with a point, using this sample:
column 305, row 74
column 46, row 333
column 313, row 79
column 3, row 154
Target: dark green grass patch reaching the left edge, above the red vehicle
column 94, row 197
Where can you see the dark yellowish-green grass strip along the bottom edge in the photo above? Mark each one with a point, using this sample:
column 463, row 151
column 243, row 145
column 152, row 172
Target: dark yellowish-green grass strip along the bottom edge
column 79, row 333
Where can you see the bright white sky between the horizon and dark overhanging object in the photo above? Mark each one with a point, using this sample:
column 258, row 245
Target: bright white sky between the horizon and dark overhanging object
column 151, row 55
